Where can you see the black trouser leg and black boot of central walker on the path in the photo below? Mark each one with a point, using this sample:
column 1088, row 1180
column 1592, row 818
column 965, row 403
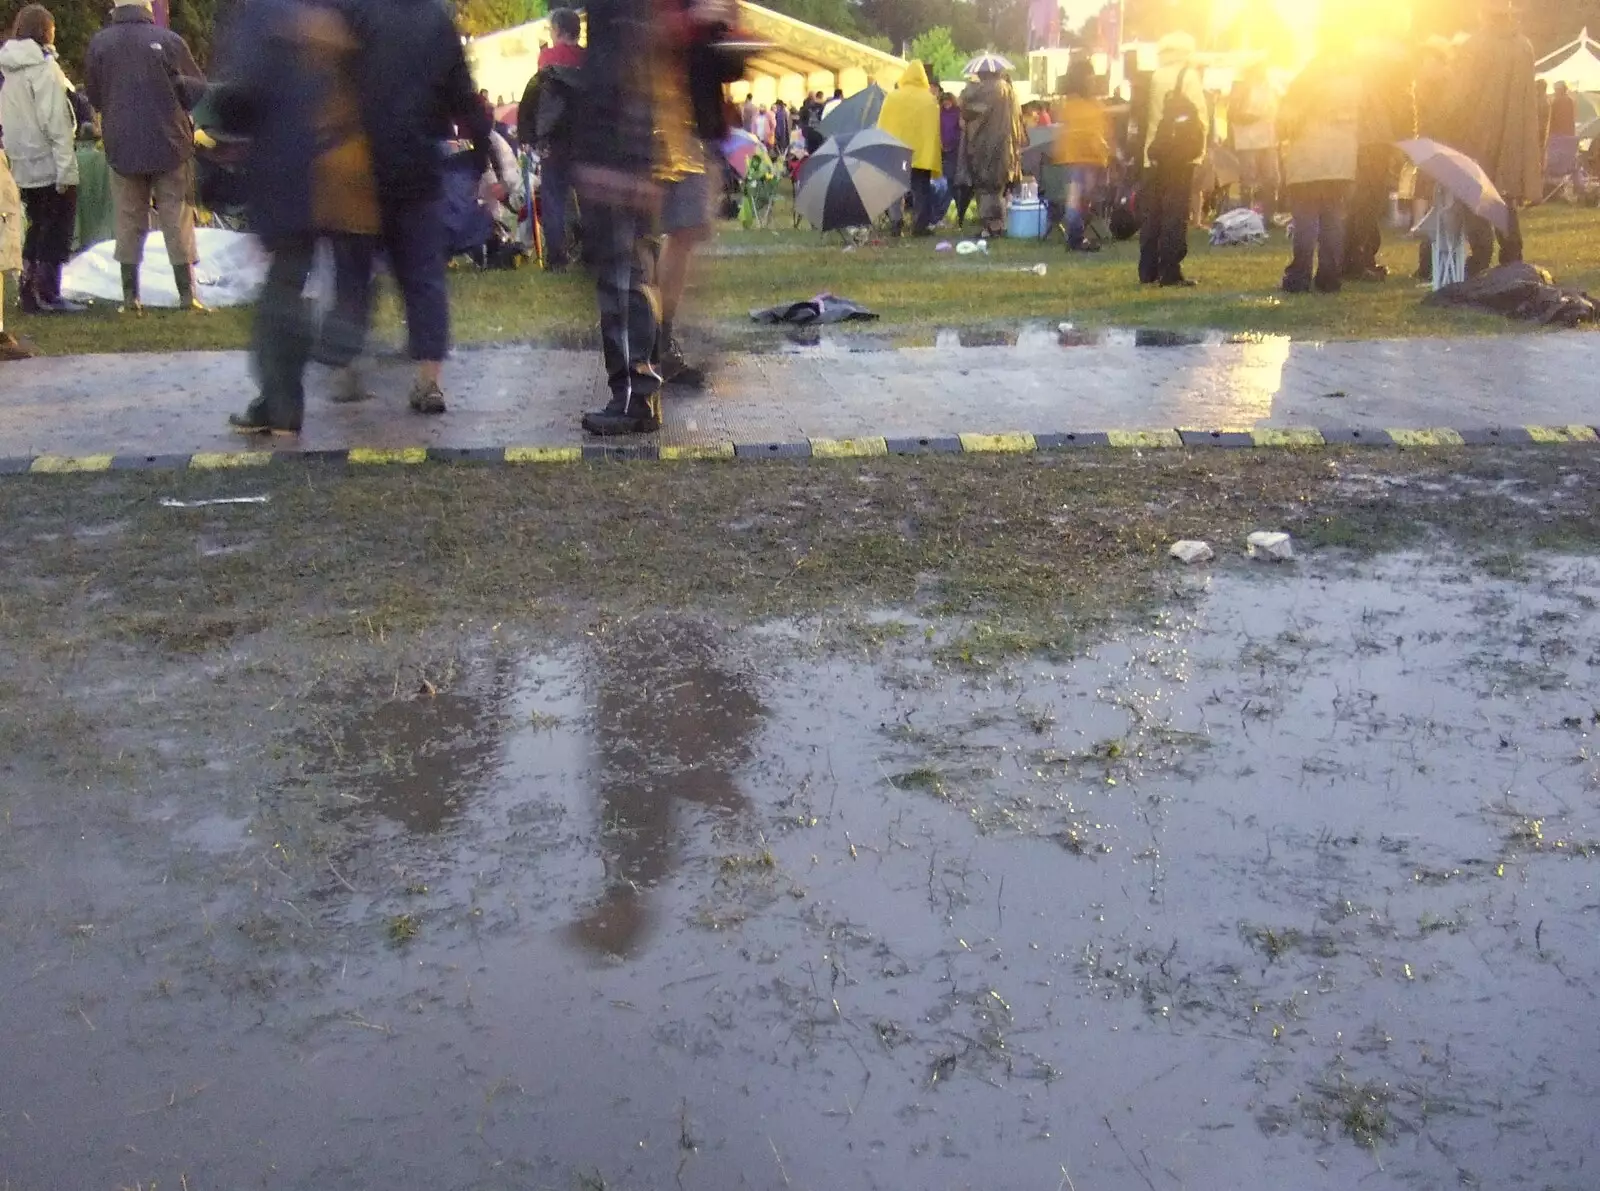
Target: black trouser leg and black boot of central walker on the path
column 628, row 326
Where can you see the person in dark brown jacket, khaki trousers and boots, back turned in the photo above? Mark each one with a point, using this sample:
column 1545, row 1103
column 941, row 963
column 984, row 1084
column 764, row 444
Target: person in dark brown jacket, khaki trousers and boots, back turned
column 143, row 81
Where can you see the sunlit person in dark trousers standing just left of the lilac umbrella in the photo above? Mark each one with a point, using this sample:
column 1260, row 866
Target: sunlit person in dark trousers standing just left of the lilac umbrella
column 1388, row 116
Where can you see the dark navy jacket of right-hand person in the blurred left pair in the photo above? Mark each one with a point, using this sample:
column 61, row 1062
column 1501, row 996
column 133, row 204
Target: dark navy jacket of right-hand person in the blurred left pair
column 415, row 87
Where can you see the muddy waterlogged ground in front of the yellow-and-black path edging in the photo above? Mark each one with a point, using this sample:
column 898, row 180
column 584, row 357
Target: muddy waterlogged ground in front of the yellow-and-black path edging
column 862, row 825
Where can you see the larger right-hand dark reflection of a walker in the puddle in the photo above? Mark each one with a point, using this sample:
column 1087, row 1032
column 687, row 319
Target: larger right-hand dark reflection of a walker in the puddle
column 671, row 726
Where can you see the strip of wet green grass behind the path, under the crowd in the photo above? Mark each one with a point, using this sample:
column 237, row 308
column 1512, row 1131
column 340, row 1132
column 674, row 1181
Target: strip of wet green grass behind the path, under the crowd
column 914, row 291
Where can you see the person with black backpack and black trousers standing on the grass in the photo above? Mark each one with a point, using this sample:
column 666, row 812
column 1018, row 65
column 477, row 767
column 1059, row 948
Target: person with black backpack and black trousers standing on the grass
column 1175, row 140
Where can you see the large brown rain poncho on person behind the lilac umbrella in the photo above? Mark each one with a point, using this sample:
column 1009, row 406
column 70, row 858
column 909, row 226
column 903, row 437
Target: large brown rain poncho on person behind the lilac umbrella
column 1497, row 111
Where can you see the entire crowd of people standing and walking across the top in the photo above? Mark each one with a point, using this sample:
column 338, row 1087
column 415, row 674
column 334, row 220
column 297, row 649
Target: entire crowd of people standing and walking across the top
column 343, row 108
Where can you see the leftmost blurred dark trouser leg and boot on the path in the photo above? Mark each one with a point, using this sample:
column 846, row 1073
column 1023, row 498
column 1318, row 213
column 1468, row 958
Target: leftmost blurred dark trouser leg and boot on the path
column 281, row 340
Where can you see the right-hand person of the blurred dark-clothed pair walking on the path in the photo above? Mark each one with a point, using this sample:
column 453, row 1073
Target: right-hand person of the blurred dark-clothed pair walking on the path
column 415, row 87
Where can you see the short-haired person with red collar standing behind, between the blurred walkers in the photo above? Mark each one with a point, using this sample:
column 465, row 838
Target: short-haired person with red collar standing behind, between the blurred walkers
column 548, row 122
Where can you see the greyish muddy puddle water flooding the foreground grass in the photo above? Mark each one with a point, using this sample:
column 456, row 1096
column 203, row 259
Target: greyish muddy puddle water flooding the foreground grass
column 1292, row 889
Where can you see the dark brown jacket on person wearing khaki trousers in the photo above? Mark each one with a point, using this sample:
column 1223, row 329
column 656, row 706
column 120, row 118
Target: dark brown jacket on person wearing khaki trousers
column 143, row 81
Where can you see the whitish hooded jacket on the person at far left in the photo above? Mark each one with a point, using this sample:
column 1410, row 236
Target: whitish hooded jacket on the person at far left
column 38, row 122
